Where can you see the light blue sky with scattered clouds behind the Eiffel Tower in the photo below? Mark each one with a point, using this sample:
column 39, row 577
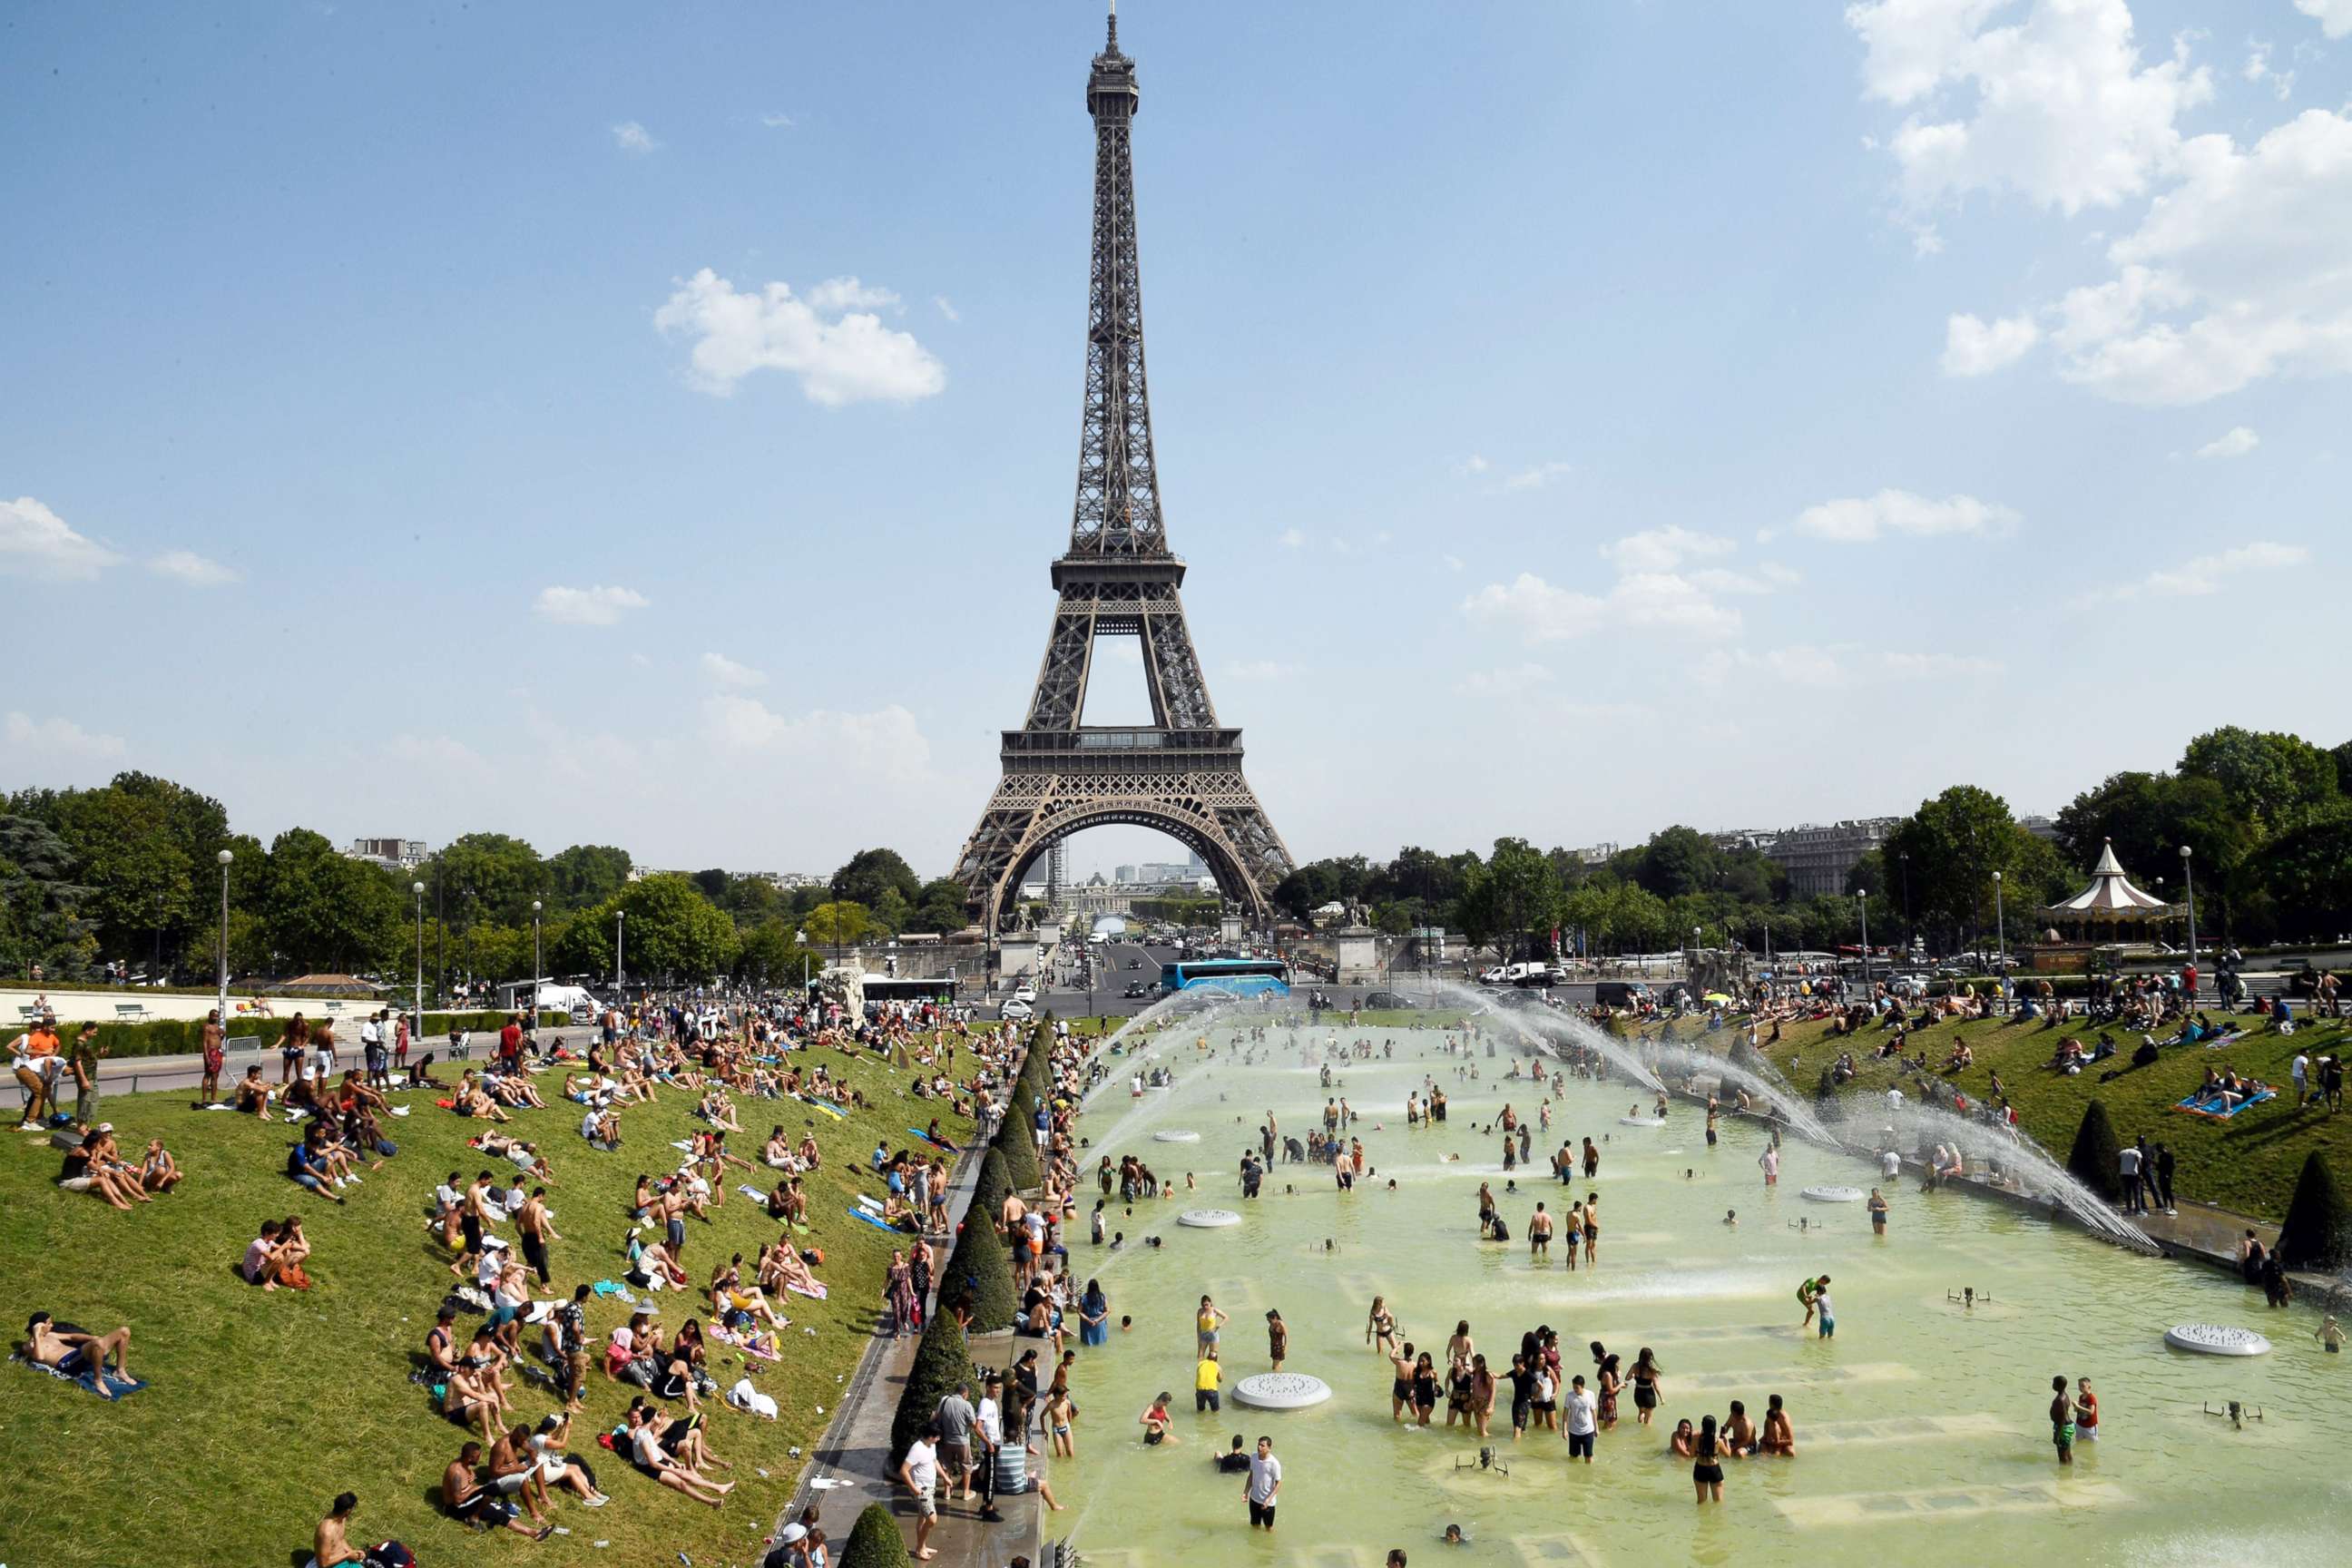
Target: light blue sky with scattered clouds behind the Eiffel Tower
column 1577, row 417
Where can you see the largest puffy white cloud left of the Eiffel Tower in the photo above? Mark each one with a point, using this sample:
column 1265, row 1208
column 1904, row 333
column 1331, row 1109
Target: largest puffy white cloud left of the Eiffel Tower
column 850, row 359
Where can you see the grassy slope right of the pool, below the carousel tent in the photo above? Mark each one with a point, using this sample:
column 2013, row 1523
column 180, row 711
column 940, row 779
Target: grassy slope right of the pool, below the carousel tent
column 2247, row 1165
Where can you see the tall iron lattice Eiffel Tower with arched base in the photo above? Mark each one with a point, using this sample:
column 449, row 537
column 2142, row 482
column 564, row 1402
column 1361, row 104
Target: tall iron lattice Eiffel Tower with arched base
column 1180, row 775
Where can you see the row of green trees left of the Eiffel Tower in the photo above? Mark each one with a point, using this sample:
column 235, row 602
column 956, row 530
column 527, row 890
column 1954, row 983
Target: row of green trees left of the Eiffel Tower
column 131, row 873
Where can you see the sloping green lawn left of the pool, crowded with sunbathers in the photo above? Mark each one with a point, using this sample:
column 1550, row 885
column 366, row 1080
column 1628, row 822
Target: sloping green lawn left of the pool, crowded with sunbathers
column 262, row 1407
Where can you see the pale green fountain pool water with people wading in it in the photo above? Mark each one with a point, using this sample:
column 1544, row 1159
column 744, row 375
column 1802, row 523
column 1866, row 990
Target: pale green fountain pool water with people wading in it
column 1923, row 1428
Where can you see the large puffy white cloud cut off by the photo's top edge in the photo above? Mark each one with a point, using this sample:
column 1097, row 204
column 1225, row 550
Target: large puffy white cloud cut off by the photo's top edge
column 2054, row 105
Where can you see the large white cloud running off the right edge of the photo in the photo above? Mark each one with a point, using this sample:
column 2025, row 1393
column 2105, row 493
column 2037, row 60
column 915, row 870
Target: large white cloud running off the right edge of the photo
column 2233, row 276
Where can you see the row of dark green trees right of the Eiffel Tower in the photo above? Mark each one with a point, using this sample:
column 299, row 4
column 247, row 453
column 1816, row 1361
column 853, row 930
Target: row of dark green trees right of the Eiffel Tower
column 2266, row 817
